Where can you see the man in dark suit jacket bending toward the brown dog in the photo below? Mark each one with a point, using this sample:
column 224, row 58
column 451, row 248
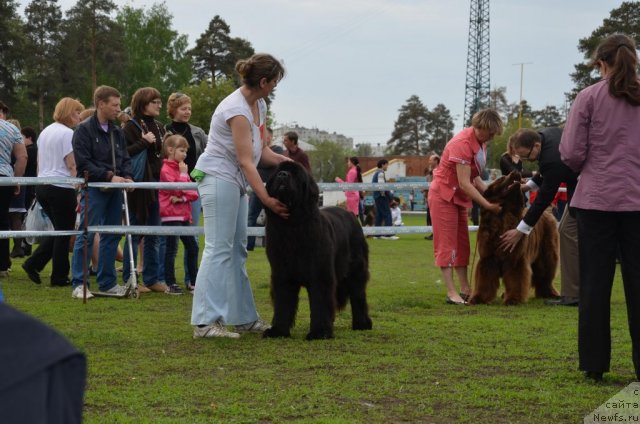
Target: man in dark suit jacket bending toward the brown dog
column 543, row 146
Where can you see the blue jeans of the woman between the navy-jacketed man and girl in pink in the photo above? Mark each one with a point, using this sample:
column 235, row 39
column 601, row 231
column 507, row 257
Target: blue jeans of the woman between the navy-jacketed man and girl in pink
column 150, row 270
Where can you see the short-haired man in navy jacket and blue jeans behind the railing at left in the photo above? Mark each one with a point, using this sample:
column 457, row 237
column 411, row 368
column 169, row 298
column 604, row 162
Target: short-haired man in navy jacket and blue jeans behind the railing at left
column 100, row 149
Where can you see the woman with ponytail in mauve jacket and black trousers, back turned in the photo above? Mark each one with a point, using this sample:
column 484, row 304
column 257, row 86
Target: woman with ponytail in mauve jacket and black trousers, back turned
column 601, row 141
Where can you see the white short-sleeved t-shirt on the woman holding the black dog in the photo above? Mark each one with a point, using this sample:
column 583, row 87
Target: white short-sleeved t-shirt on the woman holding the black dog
column 219, row 158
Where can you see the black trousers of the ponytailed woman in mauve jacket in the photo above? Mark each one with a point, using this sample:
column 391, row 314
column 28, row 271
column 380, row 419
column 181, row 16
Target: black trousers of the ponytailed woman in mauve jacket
column 599, row 235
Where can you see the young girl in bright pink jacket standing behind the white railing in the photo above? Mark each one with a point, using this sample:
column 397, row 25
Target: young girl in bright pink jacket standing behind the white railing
column 175, row 209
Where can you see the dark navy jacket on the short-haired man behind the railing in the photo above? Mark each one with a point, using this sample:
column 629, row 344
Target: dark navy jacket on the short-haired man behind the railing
column 92, row 151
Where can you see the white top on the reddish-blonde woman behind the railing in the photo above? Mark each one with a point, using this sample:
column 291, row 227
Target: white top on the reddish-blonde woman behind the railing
column 54, row 144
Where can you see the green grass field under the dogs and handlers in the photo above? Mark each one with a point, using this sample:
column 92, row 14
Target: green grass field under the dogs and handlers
column 424, row 361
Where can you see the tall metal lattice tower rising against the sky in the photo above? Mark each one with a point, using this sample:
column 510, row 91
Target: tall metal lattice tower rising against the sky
column 478, row 81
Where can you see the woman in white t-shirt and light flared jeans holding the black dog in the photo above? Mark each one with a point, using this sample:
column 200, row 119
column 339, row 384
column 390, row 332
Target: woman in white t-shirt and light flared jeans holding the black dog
column 235, row 145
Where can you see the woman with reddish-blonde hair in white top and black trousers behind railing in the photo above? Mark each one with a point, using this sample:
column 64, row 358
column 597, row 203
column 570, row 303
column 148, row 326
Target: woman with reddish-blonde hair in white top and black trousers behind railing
column 55, row 159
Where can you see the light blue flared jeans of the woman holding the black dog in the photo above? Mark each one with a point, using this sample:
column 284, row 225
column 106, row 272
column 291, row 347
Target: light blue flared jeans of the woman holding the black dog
column 223, row 292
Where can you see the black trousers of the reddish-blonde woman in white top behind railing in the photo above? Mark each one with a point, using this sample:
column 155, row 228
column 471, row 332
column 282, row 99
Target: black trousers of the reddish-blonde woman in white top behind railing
column 60, row 206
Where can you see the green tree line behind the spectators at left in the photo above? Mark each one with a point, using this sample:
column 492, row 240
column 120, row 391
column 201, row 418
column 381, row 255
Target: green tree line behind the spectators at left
column 48, row 54
